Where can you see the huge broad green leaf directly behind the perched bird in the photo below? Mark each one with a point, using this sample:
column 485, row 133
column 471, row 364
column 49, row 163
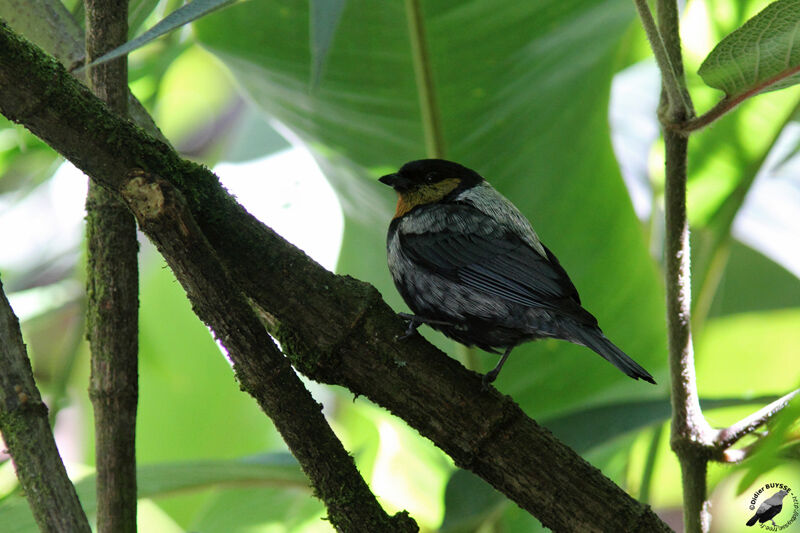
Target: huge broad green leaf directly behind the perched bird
column 521, row 89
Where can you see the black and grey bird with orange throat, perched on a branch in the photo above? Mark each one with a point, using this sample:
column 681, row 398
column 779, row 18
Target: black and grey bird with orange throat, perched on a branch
column 469, row 264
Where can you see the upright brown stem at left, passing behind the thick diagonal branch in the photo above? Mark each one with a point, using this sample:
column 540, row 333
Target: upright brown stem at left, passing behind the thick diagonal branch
column 113, row 295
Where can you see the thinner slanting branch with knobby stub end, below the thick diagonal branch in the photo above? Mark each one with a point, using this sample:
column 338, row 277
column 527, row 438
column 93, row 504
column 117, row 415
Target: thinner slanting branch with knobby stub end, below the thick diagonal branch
column 260, row 368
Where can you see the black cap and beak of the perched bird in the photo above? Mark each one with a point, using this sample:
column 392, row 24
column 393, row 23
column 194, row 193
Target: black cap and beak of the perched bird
column 427, row 173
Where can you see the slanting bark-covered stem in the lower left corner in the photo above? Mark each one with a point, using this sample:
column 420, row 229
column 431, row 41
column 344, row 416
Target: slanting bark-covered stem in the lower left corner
column 28, row 438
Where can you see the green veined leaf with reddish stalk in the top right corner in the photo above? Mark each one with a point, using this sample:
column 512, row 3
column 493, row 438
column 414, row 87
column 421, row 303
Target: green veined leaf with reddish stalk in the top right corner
column 762, row 55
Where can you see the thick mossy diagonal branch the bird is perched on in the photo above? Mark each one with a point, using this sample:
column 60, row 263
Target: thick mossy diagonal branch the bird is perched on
column 335, row 329
